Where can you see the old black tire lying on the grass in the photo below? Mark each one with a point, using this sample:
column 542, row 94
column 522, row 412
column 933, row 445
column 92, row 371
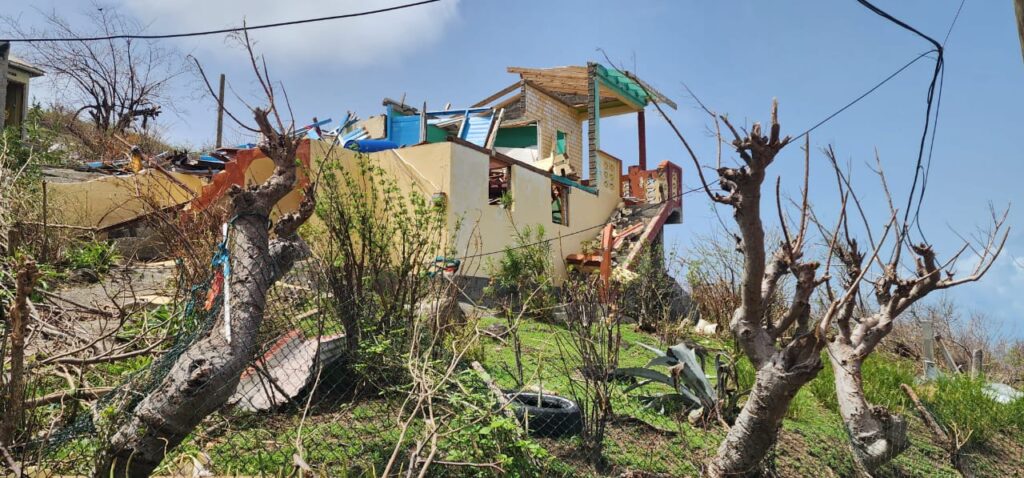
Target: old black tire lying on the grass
column 547, row 416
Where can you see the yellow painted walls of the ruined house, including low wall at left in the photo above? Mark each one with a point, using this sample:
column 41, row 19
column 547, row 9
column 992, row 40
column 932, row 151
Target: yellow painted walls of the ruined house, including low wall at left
column 460, row 172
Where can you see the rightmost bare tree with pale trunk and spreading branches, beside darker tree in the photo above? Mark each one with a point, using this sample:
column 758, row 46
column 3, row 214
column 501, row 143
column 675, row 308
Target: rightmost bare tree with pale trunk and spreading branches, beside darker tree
column 877, row 436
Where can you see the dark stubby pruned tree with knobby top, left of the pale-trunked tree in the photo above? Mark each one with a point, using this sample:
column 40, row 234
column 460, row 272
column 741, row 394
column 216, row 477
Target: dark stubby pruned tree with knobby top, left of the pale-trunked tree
column 783, row 370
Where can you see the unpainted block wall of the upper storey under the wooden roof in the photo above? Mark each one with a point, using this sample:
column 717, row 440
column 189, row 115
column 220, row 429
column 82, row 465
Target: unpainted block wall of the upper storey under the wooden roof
column 556, row 116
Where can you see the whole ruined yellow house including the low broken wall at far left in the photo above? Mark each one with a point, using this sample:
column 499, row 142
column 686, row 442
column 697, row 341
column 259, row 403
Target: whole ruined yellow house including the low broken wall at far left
column 529, row 155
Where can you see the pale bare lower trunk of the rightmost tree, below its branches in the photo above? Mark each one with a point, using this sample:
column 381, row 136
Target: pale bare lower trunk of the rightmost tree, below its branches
column 877, row 437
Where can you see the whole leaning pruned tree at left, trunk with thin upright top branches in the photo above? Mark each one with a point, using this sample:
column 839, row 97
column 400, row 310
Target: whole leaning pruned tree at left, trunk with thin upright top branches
column 202, row 379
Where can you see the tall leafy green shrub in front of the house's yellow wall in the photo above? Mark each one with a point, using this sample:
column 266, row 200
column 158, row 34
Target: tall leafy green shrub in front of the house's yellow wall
column 373, row 260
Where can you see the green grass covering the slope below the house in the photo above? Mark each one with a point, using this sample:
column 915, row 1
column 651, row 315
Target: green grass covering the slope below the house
column 357, row 440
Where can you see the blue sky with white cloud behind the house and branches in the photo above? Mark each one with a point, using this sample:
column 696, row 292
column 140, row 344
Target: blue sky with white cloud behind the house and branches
column 815, row 57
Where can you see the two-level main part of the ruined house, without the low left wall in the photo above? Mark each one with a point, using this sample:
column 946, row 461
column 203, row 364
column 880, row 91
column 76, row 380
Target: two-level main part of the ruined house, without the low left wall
column 531, row 155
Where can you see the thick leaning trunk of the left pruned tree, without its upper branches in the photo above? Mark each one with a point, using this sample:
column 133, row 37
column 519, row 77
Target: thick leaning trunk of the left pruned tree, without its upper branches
column 203, row 379
